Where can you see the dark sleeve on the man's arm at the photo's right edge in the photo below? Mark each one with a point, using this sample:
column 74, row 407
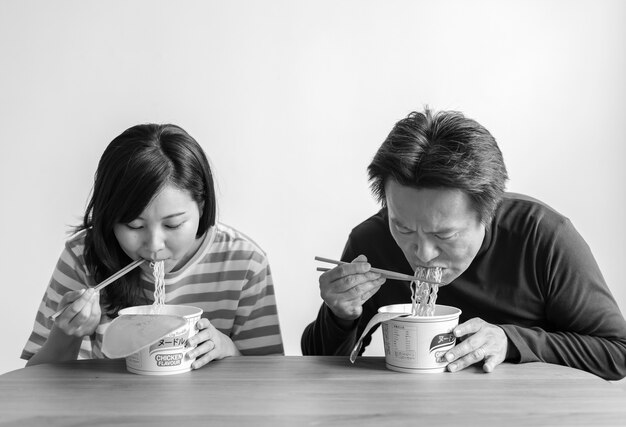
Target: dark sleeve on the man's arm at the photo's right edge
column 587, row 330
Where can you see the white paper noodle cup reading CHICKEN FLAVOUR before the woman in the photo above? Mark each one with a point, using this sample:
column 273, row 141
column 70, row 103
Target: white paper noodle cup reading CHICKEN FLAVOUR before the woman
column 167, row 355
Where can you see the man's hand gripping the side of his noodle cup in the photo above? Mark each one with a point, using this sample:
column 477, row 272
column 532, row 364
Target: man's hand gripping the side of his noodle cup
column 483, row 342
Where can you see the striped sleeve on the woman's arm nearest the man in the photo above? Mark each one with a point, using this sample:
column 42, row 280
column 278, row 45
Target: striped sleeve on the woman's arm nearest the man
column 256, row 329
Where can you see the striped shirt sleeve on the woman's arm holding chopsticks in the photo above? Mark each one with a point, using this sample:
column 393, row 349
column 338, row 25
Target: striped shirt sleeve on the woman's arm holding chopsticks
column 70, row 274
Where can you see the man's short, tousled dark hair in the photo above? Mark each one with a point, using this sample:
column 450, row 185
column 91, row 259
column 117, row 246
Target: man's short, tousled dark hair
column 442, row 150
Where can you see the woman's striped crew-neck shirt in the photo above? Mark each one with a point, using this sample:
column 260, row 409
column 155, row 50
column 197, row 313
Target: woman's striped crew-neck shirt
column 229, row 278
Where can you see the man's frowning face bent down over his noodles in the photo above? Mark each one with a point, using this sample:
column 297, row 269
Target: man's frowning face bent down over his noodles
column 434, row 227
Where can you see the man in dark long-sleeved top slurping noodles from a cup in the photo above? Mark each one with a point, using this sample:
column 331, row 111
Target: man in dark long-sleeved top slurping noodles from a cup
column 525, row 280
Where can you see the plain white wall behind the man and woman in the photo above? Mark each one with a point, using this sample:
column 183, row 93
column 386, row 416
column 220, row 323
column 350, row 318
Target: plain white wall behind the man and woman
column 290, row 100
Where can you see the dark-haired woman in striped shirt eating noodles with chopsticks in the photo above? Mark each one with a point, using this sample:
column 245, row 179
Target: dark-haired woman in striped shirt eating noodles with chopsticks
column 154, row 199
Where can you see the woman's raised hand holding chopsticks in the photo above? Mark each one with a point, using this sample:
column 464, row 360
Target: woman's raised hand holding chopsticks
column 82, row 315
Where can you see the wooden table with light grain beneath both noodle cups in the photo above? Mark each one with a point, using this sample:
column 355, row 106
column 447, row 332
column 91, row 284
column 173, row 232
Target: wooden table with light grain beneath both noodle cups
column 294, row 391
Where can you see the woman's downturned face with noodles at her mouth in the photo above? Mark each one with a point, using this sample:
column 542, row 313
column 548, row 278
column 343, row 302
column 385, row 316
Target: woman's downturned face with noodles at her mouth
column 164, row 231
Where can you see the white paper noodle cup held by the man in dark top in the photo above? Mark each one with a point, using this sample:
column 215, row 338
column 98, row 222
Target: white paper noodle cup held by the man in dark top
column 416, row 344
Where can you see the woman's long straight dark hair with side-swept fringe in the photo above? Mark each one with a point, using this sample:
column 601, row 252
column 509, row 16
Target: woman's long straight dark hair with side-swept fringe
column 132, row 170
